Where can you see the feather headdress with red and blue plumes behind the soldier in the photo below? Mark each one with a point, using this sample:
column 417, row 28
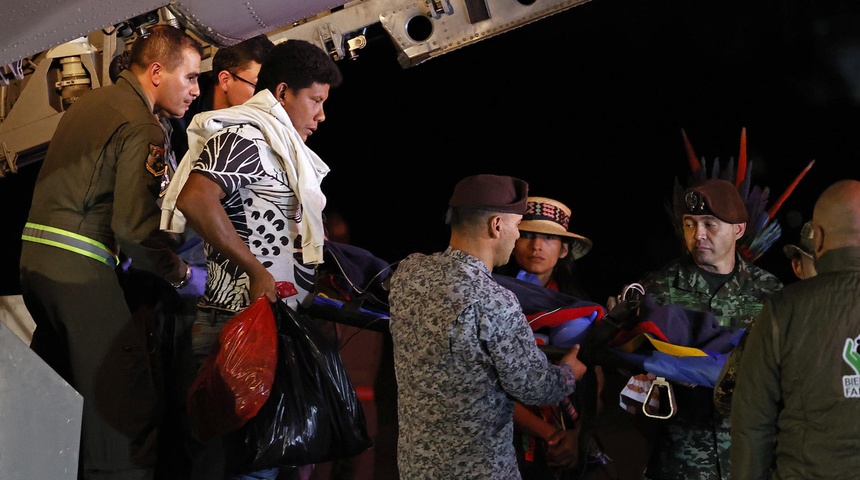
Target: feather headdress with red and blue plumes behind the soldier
column 762, row 229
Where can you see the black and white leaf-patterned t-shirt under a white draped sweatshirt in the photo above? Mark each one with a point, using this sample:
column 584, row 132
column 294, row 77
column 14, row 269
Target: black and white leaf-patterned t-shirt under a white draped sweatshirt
column 263, row 209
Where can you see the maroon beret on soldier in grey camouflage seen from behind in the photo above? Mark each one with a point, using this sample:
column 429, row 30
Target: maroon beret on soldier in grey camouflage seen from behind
column 494, row 193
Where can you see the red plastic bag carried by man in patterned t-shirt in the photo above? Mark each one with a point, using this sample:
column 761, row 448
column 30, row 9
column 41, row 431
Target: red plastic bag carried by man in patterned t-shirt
column 236, row 378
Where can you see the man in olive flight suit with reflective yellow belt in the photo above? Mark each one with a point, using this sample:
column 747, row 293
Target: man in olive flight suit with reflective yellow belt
column 96, row 195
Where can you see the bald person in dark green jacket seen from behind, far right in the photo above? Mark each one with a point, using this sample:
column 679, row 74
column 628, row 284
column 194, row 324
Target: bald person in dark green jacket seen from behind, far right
column 798, row 385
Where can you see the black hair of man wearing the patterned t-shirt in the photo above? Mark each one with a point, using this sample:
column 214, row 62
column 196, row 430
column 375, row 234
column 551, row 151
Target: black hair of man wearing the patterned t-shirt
column 299, row 64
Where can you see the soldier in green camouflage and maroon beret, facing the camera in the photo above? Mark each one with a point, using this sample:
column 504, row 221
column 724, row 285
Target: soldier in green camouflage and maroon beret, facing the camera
column 712, row 277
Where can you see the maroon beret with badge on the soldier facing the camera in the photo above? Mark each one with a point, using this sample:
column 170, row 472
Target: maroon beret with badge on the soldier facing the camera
column 716, row 197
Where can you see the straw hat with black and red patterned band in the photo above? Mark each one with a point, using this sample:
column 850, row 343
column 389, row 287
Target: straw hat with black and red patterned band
column 551, row 217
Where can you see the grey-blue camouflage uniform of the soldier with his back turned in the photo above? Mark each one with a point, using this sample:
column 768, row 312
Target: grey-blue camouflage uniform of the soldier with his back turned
column 463, row 351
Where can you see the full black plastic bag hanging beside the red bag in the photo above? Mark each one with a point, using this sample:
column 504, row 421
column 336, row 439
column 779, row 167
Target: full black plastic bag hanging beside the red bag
column 312, row 415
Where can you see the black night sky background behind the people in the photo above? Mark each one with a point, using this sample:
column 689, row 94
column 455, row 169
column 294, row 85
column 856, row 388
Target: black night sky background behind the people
column 587, row 106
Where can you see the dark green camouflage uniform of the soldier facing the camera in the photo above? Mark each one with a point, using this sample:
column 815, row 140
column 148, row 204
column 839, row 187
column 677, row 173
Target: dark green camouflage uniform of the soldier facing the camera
column 695, row 445
